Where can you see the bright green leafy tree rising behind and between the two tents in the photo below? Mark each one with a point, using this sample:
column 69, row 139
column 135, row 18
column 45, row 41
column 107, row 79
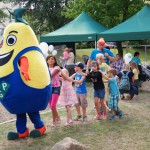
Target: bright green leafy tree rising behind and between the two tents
column 109, row 13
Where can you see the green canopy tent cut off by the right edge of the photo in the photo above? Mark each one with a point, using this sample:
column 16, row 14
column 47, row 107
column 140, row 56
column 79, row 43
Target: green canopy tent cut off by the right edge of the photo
column 135, row 28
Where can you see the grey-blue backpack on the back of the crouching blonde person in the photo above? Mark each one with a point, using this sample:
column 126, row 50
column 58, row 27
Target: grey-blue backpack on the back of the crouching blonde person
column 124, row 83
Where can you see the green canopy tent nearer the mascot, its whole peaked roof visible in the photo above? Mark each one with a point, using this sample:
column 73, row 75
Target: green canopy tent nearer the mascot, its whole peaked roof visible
column 81, row 29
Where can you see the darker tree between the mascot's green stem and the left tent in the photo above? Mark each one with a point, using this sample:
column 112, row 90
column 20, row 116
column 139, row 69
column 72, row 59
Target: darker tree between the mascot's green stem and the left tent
column 43, row 16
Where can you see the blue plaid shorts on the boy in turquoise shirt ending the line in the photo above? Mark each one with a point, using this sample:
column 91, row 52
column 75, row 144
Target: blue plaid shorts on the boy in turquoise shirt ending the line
column 113, row 102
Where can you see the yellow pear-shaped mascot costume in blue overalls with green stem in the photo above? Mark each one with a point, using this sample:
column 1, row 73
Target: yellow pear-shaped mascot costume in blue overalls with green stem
column 25, row 83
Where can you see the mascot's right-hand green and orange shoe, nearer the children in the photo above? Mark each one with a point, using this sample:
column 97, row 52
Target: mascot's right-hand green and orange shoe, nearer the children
column 37, row 132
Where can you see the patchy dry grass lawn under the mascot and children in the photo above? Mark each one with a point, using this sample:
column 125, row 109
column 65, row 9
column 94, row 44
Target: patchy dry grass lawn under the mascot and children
column 132, row 132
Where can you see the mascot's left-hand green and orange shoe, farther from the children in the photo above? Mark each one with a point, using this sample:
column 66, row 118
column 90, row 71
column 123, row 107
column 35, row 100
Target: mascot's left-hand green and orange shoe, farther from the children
column 15, row 135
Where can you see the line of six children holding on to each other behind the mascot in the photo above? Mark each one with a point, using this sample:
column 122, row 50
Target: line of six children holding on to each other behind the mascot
column 104, row 86
